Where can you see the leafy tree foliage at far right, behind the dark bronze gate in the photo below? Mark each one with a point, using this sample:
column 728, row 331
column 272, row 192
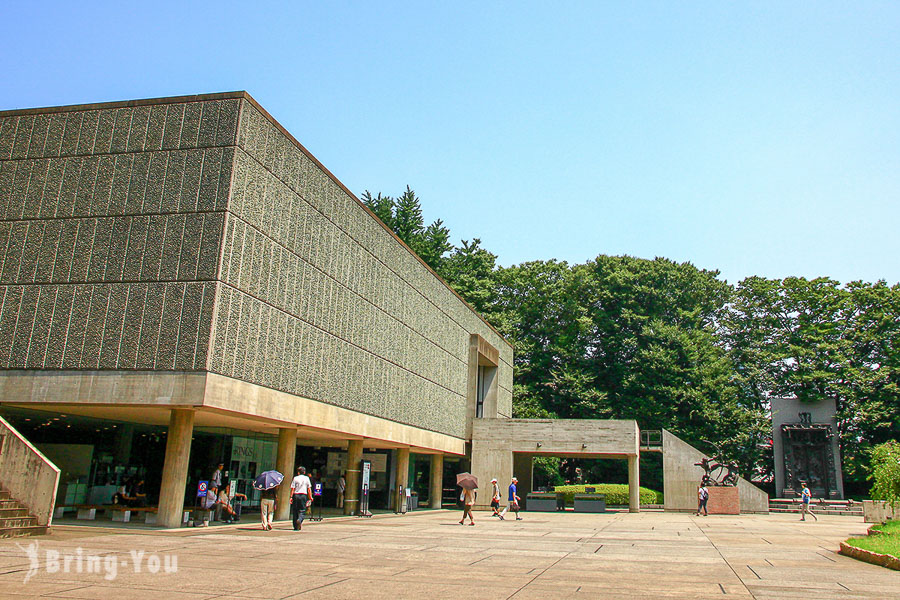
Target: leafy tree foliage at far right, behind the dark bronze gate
column 817, row 340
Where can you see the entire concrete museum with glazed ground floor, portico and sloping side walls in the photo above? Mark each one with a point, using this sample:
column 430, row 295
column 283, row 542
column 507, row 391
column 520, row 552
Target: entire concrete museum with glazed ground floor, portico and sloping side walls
column 182, row 284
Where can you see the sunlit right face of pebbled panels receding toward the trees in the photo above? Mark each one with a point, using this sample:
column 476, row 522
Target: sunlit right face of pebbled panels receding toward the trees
column 322, row 302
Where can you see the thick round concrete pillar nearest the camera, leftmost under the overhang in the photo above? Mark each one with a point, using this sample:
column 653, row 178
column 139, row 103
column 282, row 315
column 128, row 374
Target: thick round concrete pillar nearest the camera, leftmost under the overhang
column 174, row 477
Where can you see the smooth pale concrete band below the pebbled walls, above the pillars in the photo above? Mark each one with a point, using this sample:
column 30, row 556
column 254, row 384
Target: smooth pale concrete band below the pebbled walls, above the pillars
column 147, row 397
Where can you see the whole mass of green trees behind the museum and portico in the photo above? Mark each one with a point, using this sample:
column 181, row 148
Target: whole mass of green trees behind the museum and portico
column 673, row 346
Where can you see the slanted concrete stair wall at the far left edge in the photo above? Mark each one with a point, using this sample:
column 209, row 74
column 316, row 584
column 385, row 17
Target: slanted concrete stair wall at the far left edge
column 27, row 474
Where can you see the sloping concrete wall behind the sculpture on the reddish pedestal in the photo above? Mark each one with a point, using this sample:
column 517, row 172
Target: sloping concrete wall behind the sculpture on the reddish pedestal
column 681, row 477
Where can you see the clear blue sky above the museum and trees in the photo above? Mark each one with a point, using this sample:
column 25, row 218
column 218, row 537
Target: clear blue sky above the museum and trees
column 754, row 140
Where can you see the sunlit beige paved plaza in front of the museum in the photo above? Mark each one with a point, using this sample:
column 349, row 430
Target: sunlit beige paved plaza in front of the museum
column 429, row 555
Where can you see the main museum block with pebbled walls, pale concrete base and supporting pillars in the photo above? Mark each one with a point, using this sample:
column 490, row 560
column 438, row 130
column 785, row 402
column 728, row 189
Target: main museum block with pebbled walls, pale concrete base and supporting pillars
column 186, row 263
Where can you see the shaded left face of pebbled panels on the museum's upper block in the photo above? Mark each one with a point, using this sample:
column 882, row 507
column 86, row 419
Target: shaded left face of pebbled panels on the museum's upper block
column 110, row 229
